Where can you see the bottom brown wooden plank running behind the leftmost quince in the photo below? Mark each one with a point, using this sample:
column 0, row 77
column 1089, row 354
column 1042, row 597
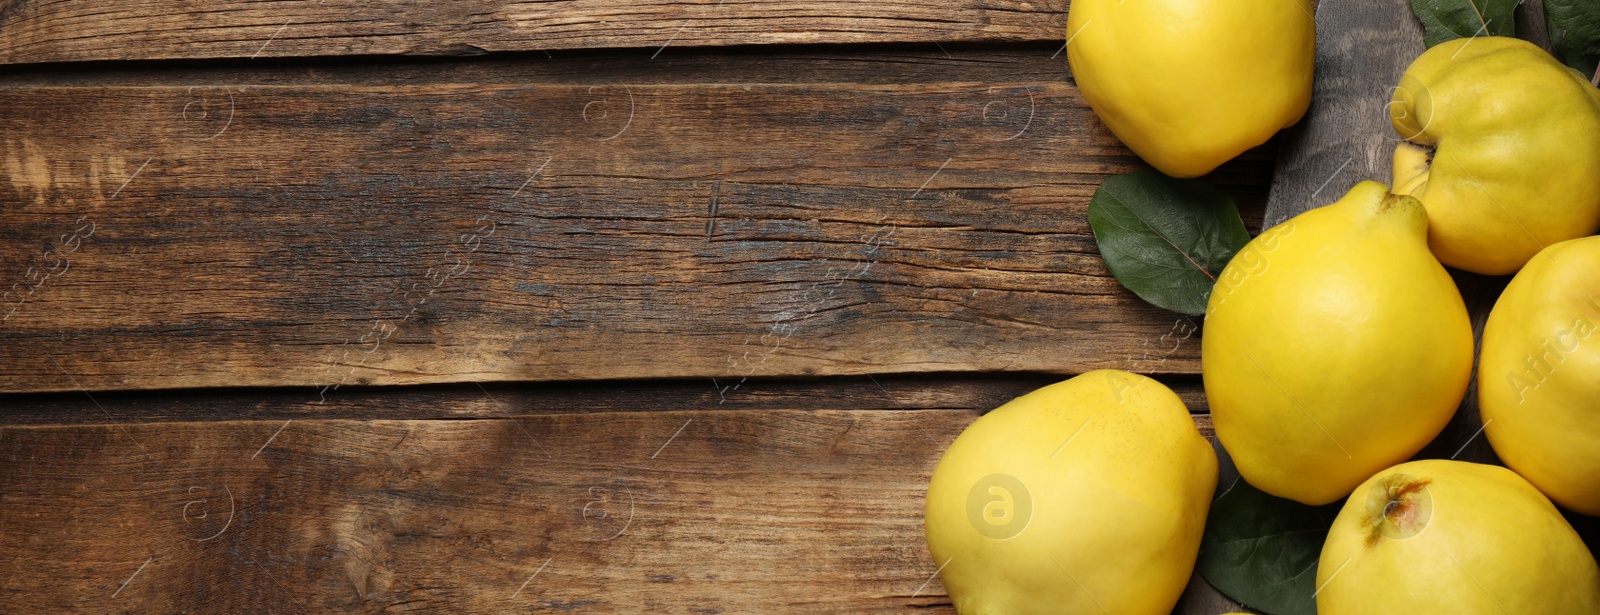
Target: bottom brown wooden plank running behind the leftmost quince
column 702, row 512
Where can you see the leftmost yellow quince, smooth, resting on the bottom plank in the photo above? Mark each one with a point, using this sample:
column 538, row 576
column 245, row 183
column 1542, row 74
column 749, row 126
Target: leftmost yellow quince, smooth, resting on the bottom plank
column 1081, row 497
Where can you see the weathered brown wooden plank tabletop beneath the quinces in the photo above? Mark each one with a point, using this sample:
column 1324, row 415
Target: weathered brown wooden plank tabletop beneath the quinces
column 522, row 307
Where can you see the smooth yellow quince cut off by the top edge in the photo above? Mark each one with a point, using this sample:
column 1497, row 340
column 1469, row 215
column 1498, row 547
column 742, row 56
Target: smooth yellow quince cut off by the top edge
column 1193, row 84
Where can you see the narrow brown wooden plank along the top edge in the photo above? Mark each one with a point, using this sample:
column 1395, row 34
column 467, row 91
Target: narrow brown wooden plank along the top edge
column 148, row 30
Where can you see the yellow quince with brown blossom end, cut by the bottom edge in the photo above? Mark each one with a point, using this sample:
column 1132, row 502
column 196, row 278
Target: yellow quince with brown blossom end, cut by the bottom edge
column 1454, row 537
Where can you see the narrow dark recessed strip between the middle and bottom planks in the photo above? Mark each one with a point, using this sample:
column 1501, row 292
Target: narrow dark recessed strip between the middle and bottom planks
column 470, row 401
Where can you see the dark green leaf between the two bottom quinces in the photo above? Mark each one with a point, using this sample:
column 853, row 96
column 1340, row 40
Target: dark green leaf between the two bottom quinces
column 1263, row 552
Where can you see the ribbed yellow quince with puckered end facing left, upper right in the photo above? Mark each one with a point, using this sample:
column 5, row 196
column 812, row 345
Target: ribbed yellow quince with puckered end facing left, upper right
column 1503, row 148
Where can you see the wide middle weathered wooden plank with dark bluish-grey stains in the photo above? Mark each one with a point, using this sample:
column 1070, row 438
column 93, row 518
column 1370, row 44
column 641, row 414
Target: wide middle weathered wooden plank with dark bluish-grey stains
column 326, row 236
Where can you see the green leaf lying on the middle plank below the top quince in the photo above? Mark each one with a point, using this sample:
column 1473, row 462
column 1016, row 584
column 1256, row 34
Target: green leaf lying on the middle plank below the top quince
column 1166, row 239
